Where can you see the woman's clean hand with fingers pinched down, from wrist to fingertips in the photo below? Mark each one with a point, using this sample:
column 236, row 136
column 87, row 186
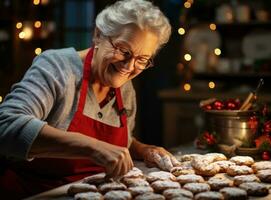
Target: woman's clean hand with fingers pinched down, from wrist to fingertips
column 115, row 159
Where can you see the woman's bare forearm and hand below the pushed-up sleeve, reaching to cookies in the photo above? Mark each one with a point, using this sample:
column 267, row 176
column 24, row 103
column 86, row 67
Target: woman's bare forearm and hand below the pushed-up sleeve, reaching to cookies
column 55, row 143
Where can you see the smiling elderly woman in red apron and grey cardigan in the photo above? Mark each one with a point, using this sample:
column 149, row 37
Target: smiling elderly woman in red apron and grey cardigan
column 73, row 113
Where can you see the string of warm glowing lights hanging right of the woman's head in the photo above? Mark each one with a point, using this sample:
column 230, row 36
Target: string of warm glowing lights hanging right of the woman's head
column 188, row 57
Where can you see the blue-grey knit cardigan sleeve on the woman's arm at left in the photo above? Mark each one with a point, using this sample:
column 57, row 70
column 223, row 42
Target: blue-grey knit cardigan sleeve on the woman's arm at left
column 25, row 108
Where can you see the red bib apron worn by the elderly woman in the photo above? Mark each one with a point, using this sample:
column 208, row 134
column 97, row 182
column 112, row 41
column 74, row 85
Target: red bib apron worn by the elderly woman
column 42, row 174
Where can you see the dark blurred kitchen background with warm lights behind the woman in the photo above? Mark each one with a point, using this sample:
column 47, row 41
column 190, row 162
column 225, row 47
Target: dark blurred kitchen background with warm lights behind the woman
column 218, row 49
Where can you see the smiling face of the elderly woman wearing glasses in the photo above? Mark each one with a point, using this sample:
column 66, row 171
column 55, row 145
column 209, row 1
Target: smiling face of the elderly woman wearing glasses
column 108, row 69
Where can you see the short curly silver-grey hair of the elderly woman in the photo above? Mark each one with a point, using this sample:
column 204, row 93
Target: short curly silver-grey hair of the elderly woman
column 141, row 13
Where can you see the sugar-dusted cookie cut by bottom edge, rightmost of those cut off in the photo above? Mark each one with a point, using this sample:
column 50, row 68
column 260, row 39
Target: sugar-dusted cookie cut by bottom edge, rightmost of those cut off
column 233, row 193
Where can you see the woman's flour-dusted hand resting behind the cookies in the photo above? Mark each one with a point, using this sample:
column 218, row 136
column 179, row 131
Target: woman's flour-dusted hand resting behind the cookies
column 159, row 157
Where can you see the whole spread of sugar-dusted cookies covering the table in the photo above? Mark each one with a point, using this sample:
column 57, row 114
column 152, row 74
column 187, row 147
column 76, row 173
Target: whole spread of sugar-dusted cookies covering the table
column 201, row 177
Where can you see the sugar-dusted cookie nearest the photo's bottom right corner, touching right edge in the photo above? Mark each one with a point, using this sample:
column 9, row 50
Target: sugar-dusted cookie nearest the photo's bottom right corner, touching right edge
column 255, row 189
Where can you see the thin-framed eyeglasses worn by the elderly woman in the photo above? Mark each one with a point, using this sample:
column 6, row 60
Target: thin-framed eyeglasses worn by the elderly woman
column 126, row 55
